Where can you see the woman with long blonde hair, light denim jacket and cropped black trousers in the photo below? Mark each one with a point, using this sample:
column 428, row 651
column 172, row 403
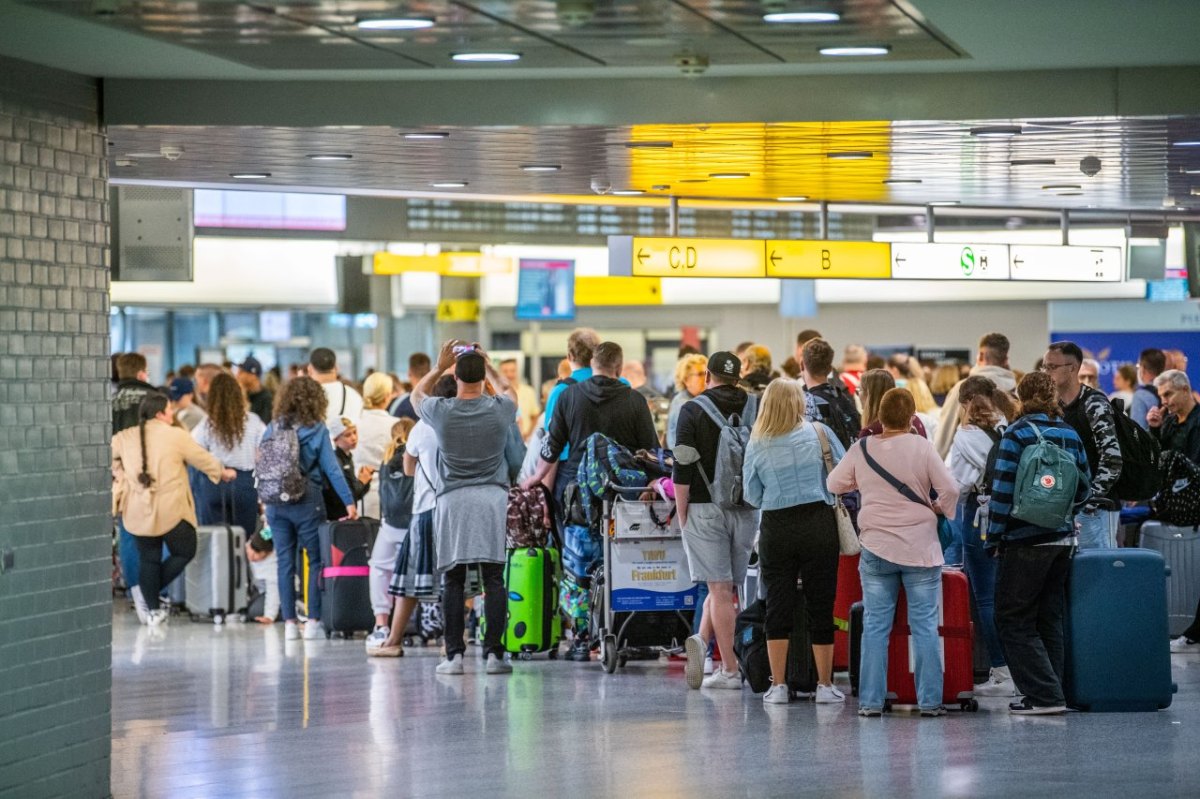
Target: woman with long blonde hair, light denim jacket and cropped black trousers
column 785, row 470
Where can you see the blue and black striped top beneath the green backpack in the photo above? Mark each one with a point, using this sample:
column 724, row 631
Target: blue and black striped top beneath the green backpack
column 1003, row 526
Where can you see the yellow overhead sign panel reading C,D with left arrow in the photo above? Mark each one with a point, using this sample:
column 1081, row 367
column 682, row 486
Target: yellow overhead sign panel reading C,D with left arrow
column 662, row 257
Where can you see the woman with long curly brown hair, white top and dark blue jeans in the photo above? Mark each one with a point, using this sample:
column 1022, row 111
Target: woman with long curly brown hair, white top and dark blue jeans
column 231, row 432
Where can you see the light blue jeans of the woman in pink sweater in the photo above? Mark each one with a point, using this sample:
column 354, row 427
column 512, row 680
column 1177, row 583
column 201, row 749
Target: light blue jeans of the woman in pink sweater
column 881, row 586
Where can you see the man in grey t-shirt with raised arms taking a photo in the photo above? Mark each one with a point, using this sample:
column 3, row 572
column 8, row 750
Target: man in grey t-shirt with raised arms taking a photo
column 472, row 504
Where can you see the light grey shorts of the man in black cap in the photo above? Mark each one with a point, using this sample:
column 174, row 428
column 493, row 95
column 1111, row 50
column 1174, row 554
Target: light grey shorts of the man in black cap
column 718, row 543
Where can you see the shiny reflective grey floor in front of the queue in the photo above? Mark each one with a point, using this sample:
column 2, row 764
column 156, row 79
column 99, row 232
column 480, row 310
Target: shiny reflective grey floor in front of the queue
column 237, row 712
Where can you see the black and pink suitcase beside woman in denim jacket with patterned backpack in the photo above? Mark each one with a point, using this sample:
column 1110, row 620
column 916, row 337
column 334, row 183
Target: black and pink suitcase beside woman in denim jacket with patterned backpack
column 346, row 576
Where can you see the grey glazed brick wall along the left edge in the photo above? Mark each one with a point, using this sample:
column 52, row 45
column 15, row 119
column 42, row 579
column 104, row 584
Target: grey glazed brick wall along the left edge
column 56, row 603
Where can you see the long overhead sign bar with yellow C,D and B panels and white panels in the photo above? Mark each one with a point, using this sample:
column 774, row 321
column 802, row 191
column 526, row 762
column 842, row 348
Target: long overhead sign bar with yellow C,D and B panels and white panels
column 662, row 257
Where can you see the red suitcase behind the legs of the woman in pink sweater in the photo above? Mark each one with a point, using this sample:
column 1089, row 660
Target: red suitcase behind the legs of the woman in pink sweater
column 957, row 640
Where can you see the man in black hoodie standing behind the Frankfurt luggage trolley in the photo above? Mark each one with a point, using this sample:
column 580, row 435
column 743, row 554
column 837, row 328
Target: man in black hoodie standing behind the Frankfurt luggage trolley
column 599, row 405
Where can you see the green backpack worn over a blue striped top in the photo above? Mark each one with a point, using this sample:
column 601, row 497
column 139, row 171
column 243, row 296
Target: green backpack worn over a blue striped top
column 1047, row 479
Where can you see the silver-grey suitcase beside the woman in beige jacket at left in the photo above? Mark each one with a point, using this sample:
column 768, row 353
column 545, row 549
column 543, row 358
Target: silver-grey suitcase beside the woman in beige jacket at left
column 217, row 580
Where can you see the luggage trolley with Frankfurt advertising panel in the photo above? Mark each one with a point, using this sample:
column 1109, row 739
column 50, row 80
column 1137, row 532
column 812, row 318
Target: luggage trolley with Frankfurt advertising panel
column 645, row 598
